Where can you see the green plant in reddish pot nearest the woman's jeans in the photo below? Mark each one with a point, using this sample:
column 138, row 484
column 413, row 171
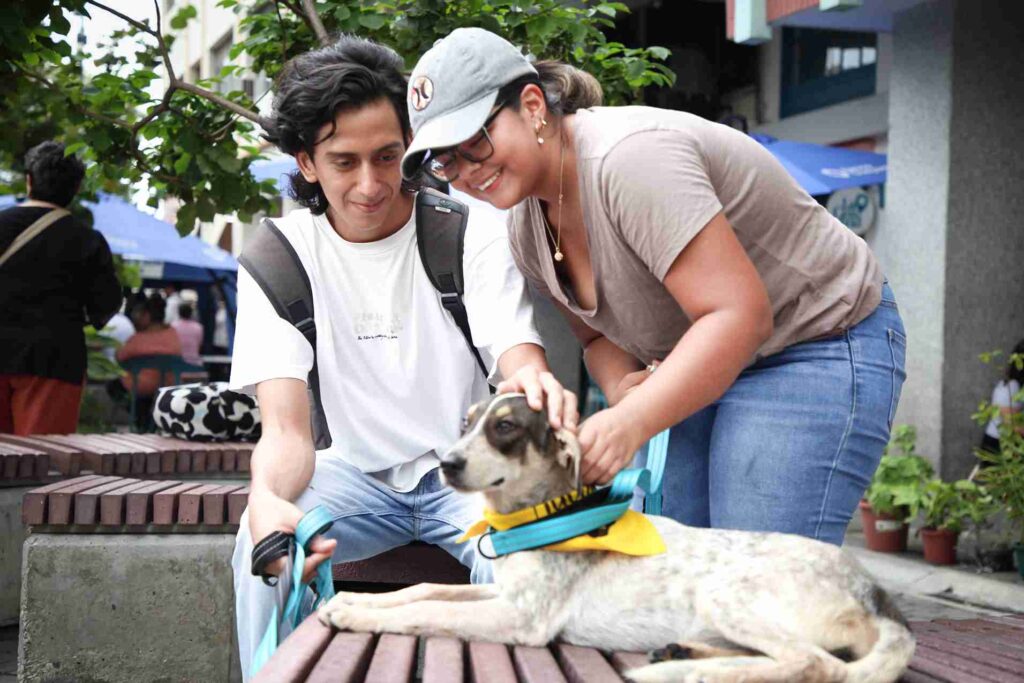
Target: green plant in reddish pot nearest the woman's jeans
column 895, row 494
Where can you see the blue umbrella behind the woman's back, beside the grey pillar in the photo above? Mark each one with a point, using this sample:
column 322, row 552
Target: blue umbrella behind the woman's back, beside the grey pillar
column 824, row 170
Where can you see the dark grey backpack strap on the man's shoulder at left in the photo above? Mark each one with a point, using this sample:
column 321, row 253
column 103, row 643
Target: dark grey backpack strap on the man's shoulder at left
column 272, row 262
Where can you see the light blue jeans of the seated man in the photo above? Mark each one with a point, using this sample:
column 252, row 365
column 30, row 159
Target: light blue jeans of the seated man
column 369, row 520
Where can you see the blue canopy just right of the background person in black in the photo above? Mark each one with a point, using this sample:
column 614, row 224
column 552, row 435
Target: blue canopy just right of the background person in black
column 137, row 236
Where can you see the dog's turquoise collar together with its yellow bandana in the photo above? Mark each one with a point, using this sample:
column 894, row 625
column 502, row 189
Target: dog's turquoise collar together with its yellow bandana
column 591, row 520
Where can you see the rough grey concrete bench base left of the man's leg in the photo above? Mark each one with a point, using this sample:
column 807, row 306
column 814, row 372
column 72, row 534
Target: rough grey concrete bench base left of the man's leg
column 129, row 609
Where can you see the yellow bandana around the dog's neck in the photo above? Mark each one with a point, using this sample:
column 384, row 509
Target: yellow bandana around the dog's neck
column 633, row 534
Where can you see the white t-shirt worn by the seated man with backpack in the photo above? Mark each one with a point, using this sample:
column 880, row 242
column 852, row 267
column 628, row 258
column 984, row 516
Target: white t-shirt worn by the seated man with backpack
column 396, row 375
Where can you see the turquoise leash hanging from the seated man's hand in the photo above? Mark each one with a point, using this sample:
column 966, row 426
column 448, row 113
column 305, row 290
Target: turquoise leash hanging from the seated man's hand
column 314, row 524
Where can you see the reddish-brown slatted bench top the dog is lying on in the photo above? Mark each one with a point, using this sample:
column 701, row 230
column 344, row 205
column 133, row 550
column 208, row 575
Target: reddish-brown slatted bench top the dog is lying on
column 957, row 652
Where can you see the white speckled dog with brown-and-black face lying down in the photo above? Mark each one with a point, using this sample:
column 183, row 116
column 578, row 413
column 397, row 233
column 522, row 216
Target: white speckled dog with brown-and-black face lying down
column 738, row 606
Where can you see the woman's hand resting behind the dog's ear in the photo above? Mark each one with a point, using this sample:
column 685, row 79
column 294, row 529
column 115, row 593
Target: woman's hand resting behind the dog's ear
column 609, row 441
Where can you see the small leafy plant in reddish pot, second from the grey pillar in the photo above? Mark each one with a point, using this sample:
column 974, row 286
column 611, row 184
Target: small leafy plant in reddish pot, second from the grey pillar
column 947, row 506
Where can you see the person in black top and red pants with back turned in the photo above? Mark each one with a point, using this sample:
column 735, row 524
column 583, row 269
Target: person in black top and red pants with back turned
column 52, row 285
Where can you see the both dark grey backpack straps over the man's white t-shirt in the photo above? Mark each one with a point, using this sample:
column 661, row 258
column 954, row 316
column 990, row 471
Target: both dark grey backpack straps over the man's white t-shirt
column 441, row 230
